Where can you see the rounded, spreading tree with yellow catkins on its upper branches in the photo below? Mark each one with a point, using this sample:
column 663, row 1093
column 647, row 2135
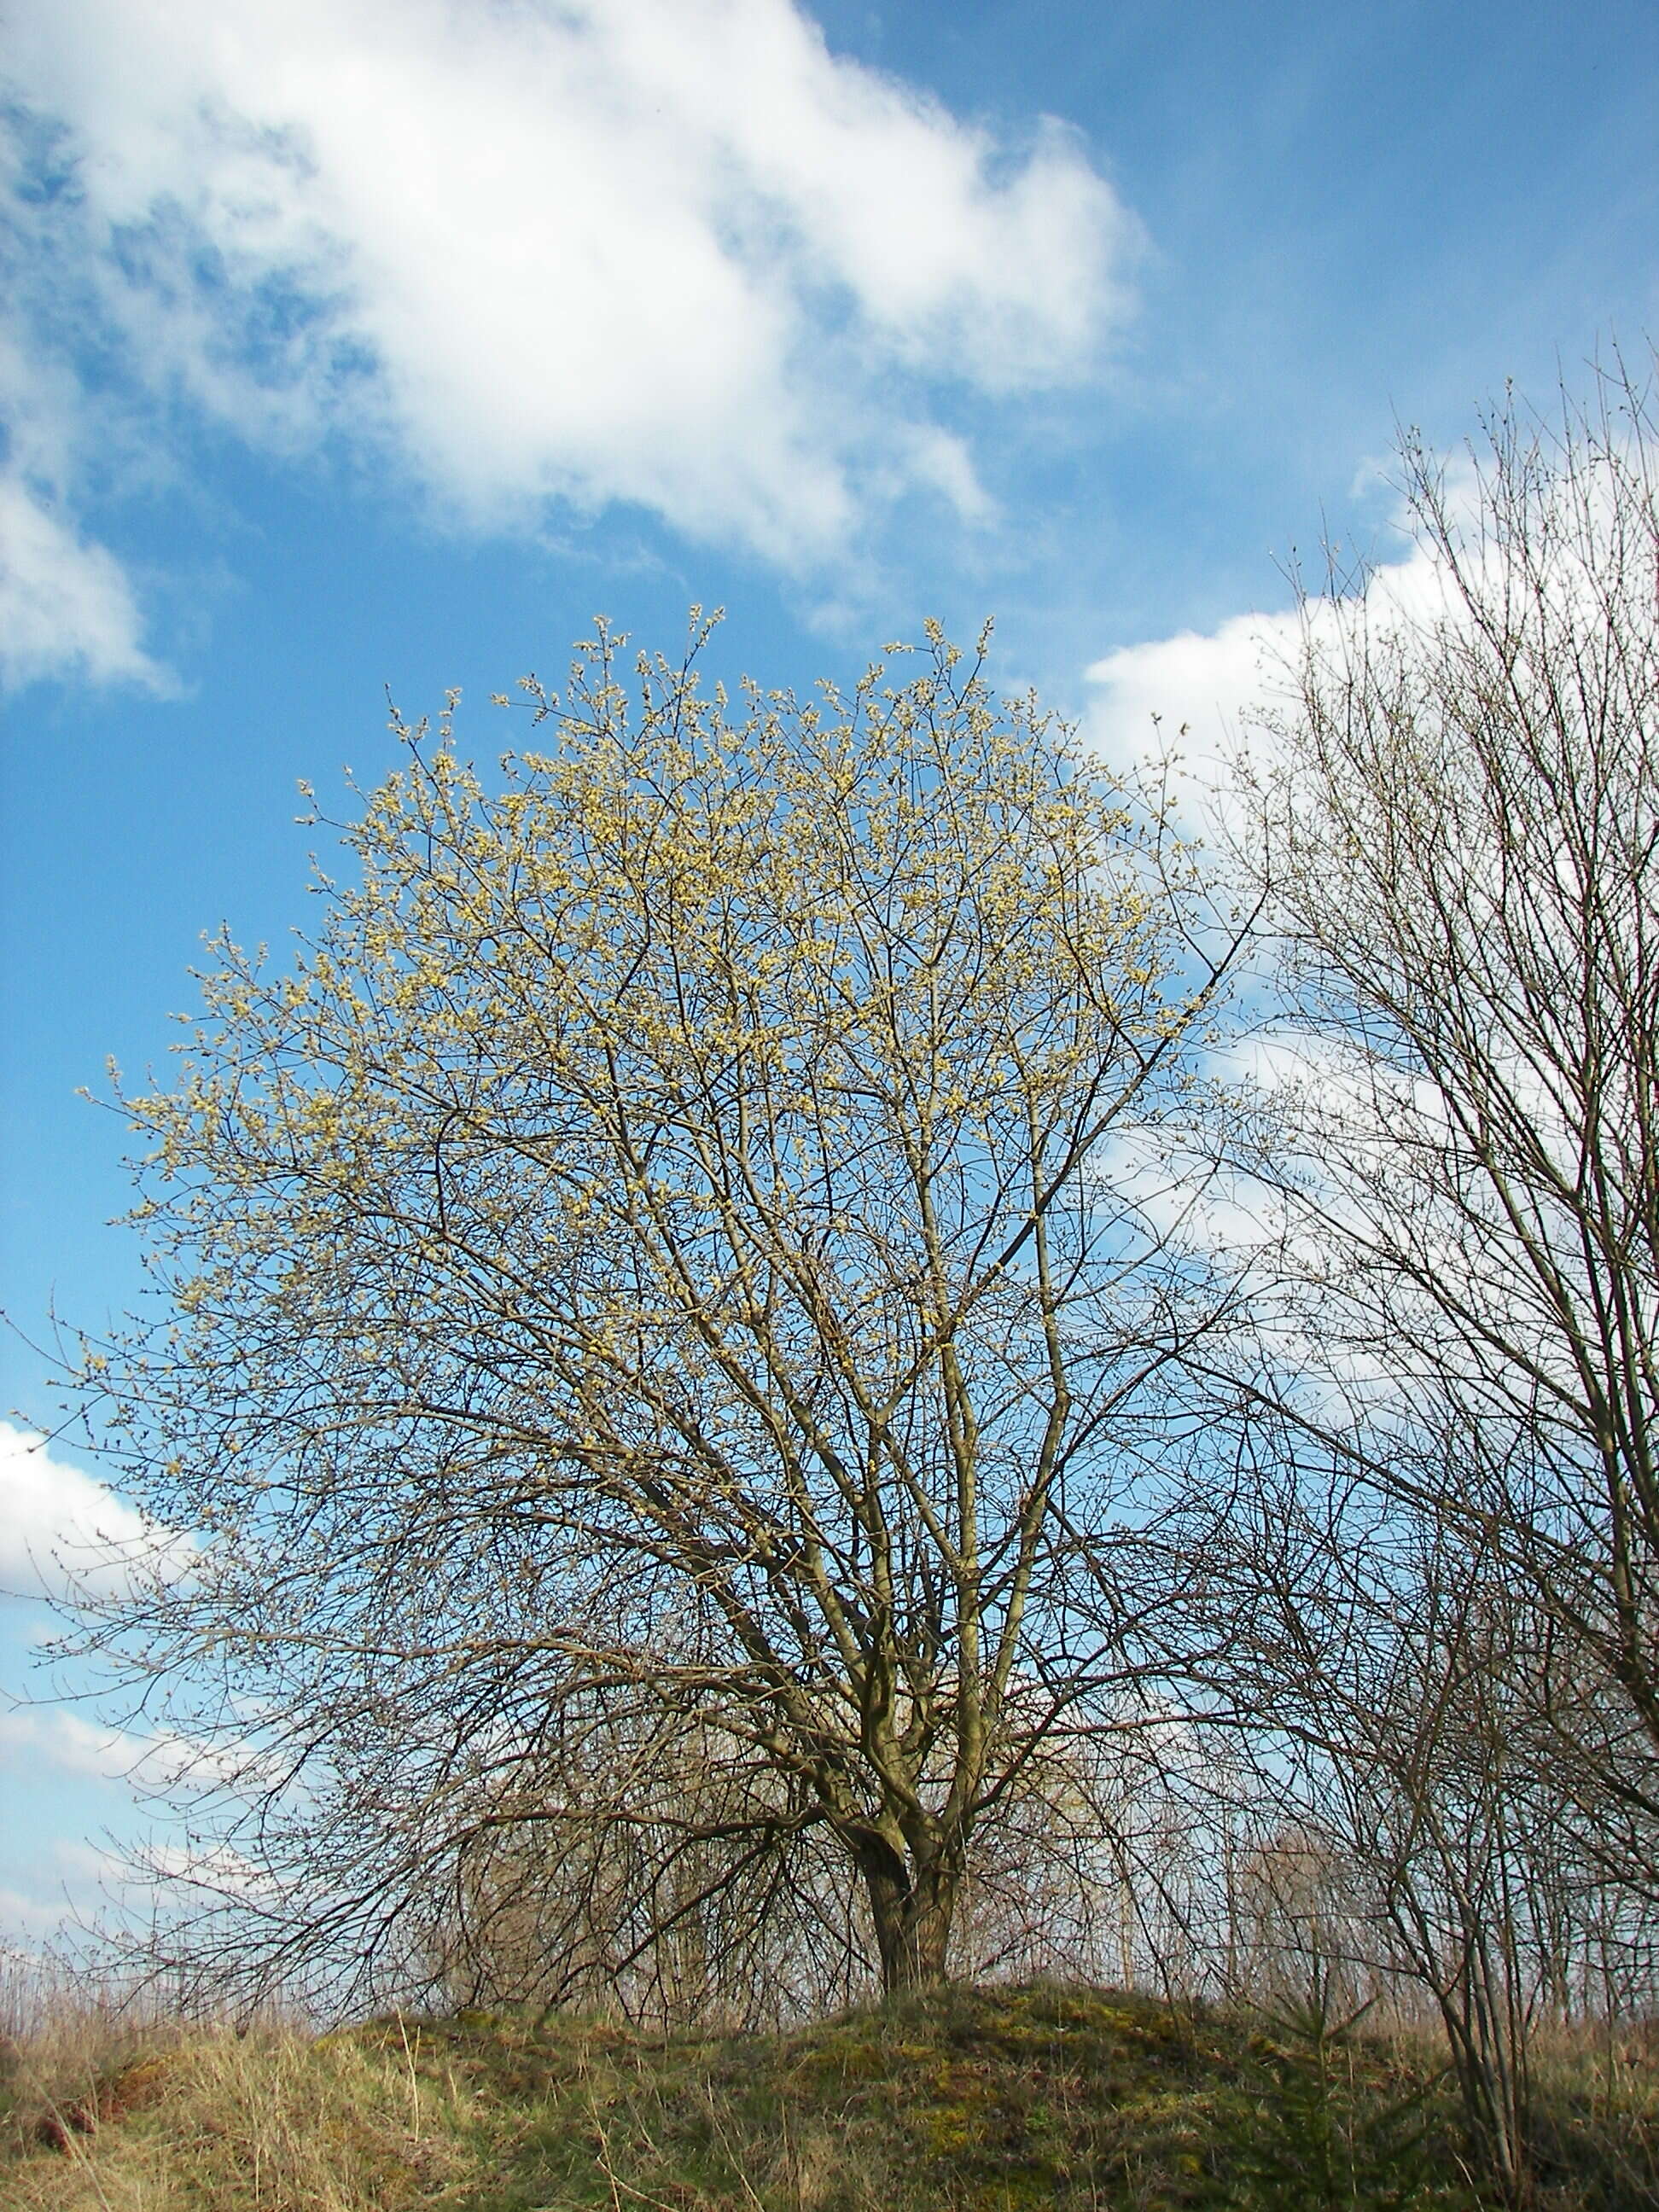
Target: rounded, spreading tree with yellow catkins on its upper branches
column 651, row 1275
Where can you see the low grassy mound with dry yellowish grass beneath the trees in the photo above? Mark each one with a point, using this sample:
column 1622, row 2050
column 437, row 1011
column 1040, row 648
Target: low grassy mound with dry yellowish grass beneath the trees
column 988, row 2100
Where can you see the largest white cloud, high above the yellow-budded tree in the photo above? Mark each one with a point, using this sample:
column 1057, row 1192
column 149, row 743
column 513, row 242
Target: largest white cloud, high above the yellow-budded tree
column 607, row 251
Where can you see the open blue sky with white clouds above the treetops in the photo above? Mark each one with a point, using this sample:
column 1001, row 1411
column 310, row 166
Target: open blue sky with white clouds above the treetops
column 386, row 342
